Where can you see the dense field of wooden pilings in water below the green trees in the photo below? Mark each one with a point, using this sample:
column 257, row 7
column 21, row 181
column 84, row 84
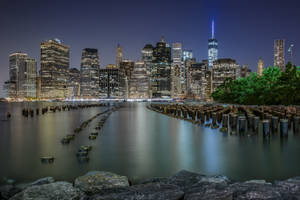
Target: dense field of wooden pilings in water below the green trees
column 237, row 119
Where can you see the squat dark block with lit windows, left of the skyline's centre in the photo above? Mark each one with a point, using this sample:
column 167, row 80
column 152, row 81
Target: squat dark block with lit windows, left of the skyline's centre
column 112, row 83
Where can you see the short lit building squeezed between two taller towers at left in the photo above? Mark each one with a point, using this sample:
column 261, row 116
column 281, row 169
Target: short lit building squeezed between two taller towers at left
column 74, row 82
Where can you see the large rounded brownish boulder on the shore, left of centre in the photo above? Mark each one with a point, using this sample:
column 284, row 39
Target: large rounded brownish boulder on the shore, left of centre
column 94, row 182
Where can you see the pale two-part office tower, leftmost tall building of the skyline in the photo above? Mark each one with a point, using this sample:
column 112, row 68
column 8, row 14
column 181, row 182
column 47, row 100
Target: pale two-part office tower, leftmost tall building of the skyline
column 22, row 74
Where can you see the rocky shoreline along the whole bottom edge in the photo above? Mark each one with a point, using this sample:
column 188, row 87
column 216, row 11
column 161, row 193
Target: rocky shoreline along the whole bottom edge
column 184, row 185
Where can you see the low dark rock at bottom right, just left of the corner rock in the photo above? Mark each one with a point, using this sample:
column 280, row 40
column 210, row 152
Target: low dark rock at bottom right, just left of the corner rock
column 245, row 191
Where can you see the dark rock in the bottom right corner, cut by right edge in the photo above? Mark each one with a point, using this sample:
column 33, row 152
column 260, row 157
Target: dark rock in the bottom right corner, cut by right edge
column 290, row 188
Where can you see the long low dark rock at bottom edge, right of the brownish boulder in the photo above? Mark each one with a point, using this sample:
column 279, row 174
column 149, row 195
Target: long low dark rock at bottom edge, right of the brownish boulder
column 150, row 191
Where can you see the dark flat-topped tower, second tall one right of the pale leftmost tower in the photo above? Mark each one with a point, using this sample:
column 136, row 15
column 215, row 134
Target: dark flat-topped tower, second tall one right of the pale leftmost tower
column 89, row 73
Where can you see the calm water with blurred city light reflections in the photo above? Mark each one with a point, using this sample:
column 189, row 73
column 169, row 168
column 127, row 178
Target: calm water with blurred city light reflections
column 138, row 143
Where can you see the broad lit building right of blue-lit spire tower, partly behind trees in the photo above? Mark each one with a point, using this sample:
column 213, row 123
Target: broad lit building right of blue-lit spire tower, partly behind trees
column 223, row 69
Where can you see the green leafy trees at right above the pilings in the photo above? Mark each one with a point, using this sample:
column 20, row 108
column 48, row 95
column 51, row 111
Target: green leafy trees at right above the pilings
column 272, row 88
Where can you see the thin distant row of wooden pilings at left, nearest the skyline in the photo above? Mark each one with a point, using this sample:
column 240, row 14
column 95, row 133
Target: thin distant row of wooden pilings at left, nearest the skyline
column 26, row 112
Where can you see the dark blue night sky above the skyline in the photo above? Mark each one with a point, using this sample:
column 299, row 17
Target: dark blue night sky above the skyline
column 245, row 29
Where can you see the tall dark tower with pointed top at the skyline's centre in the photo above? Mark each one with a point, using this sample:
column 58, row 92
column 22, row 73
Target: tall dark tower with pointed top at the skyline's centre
column 161, row 70
